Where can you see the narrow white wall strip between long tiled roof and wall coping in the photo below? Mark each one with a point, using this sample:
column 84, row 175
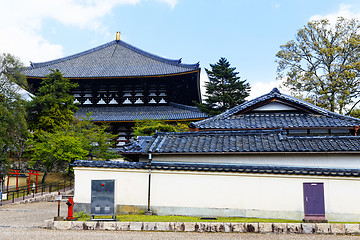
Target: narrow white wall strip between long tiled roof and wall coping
column 330, row 160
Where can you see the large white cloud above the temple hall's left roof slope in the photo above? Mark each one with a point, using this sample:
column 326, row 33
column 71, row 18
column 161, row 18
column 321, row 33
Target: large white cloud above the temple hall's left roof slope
column 21, row 23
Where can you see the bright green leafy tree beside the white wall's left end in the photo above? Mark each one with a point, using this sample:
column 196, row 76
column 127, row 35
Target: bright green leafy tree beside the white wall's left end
column 56, row 149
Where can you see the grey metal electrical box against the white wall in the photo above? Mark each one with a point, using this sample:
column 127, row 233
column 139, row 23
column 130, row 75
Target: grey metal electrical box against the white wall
column 102, row 198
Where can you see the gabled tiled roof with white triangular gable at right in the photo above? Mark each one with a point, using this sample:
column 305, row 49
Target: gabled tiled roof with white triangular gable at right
column 318, row 117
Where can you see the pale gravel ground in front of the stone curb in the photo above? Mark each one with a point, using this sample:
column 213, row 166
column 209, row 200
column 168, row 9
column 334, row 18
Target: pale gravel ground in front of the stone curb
column 26, row 221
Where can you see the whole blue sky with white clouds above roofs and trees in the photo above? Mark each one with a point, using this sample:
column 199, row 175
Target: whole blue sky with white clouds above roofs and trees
column 247, row 32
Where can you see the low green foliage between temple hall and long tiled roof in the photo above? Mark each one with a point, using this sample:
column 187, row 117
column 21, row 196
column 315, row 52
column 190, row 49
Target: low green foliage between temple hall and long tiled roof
column 149, row 127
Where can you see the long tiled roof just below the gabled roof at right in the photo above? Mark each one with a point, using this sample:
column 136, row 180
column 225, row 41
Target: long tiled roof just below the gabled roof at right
column 260, row 141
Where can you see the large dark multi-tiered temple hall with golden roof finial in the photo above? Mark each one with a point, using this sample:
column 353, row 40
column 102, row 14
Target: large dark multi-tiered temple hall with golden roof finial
column 120, row 84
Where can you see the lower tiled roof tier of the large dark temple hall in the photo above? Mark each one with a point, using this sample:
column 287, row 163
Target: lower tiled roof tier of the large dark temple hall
column 173, row 111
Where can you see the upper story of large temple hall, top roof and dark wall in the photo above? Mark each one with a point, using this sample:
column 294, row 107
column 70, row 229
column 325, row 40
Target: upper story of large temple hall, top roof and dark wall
column 118, row 74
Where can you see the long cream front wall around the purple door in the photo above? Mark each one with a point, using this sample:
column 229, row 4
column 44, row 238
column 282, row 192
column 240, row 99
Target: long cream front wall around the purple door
column 229, row 194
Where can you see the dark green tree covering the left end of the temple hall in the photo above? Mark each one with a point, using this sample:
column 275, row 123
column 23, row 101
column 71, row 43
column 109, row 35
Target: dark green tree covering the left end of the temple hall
column 53, row 105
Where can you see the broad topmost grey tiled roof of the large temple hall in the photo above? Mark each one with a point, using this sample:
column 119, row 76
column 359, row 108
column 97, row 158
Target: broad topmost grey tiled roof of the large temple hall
column 114, row 59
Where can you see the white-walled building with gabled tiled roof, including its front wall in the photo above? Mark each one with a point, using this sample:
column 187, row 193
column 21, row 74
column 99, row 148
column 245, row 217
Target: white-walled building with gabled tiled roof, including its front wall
column 271, row 157
